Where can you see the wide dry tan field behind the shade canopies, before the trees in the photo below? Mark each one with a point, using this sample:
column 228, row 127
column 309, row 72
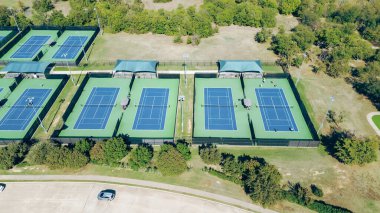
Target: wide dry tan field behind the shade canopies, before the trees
column 232, row 42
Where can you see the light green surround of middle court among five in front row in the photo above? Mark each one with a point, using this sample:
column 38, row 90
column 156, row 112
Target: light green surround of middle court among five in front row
column 127, row 122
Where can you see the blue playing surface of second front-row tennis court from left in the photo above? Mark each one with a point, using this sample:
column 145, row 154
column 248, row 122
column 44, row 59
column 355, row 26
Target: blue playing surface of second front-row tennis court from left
column 98, row 107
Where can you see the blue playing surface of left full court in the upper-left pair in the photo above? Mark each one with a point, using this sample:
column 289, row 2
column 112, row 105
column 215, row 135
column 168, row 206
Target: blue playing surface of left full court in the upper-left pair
column 31, row 47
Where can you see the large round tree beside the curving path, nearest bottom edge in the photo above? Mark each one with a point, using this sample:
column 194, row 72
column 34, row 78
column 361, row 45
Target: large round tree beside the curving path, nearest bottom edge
column 263, row 184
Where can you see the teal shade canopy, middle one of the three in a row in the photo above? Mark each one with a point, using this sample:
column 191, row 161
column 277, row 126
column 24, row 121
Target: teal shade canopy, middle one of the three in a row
column 136, row 66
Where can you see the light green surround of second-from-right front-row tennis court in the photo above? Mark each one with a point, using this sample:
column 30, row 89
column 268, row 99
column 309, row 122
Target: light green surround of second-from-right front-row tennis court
column 241, row 114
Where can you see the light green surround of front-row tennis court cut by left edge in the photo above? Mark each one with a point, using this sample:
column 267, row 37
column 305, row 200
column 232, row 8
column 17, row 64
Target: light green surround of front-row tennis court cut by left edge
column 23, row 86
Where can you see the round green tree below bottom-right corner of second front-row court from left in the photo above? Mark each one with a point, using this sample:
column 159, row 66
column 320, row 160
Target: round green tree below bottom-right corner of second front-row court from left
column 115, row 149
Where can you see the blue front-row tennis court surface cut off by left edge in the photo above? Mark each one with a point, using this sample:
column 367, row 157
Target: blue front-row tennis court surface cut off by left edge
column 23, row 111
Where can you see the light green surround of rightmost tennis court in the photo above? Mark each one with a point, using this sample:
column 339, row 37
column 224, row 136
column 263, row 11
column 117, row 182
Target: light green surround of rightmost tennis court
column 303, row 132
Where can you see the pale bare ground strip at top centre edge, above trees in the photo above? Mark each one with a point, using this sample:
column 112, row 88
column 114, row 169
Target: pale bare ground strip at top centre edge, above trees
column 150, row 5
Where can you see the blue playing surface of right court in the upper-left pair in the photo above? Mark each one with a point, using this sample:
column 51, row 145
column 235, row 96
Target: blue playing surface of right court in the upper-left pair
column 70, row 47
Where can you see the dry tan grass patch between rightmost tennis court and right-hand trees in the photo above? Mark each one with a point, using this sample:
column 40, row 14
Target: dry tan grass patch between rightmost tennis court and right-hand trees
column 355, row 107
